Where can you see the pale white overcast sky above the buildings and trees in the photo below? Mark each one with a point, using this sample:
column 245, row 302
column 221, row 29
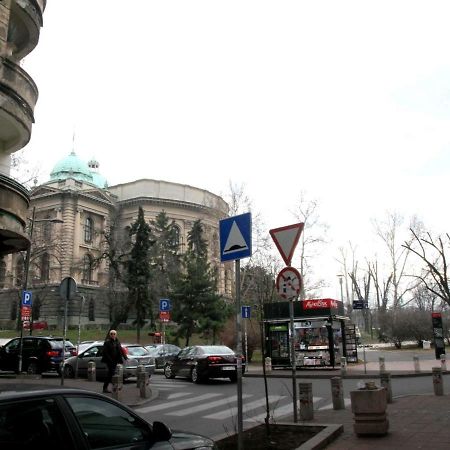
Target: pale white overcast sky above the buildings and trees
column 345, row 100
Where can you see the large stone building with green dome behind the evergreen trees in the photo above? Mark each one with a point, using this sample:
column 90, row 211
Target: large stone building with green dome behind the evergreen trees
column 72, row 213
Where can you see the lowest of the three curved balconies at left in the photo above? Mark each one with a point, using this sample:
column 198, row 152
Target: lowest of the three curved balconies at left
column 14, row 202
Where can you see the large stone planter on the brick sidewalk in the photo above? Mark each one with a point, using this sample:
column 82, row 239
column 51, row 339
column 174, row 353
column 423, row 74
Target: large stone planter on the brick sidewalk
column 369, row 409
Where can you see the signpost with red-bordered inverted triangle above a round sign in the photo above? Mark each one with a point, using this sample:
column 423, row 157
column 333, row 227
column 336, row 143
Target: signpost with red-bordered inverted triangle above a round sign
column 289, row 285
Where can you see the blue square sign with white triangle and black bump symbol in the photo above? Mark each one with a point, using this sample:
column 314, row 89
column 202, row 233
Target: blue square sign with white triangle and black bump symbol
column 236, row 237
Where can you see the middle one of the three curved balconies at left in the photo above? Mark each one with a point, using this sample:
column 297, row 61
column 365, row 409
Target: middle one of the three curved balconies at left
column 18, row 97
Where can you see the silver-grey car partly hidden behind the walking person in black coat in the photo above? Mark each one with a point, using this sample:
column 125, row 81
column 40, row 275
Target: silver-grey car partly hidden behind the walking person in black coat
column 136, row 354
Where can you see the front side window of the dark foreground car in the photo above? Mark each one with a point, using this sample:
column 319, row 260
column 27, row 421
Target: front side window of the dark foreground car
column 108, row 425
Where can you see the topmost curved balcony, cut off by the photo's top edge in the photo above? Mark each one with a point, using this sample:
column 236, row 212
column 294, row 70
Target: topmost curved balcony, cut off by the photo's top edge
column 24, row 26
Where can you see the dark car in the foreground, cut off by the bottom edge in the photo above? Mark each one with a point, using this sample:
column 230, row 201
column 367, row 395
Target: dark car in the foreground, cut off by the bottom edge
column 76, row 419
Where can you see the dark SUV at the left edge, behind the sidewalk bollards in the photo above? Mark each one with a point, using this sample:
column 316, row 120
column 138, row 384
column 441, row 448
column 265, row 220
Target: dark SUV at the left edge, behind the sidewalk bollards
column 39, row 354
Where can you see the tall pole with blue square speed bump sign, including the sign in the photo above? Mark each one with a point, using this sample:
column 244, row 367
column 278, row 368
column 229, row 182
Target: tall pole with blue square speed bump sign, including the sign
column 236, row 243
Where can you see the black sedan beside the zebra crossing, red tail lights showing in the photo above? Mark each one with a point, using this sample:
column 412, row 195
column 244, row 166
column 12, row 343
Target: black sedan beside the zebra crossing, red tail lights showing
column 200, row 362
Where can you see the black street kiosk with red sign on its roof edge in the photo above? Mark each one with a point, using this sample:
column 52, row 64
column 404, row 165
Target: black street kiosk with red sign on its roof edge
column 319, row 333
